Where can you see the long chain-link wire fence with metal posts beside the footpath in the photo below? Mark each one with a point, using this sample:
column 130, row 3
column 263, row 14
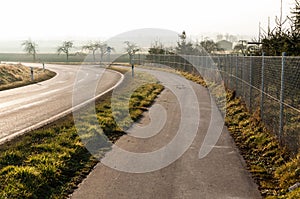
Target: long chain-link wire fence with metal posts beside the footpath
column 270, row 85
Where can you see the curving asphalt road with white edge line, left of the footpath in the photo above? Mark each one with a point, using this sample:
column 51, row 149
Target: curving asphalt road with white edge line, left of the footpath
column 28, row 107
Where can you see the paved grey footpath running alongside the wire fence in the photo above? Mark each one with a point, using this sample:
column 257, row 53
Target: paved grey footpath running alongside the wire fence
column 135, row 171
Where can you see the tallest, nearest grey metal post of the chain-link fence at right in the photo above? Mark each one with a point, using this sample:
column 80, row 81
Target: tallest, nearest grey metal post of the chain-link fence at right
column 281, row 96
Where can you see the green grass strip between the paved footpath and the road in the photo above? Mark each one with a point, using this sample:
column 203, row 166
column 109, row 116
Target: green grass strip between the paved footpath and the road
column 51, row 161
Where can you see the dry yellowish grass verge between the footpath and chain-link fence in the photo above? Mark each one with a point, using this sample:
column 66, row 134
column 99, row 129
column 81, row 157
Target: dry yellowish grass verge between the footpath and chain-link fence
column 269, row 163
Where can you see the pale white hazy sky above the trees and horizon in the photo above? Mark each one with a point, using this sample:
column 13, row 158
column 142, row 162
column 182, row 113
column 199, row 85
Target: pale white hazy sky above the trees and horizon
column 60, row 19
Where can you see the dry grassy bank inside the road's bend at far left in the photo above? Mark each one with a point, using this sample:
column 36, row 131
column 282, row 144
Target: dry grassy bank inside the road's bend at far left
column 17, row 75
